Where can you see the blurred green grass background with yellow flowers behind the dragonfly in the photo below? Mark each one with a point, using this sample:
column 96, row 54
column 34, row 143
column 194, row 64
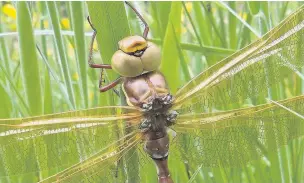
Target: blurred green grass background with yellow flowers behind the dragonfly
column 44, row 50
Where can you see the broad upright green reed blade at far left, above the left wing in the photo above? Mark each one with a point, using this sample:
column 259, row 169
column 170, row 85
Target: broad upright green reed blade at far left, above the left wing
column 28, row 60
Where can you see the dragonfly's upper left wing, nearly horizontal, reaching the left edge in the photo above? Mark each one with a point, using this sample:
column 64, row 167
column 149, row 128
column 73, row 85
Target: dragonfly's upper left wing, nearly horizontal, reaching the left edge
column 44, row 145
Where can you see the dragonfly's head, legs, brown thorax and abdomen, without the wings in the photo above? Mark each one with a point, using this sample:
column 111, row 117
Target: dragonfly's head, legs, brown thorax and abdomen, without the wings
column 137, row 61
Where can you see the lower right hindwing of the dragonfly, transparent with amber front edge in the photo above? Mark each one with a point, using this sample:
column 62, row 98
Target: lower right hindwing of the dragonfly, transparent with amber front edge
column 233, row 138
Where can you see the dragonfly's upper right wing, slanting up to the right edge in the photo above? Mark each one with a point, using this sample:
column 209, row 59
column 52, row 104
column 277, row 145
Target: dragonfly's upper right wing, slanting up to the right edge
column 249, row 73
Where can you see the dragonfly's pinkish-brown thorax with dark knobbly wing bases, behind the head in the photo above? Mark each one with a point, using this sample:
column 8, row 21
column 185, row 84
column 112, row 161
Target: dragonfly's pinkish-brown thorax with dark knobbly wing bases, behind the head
column 150, row 92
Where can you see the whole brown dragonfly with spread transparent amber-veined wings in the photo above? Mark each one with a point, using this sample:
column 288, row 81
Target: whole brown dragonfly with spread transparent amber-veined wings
column 117, row 143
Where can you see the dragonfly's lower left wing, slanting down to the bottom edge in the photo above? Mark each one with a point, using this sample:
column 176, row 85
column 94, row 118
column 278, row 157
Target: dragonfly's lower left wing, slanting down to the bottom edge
column 102, row 166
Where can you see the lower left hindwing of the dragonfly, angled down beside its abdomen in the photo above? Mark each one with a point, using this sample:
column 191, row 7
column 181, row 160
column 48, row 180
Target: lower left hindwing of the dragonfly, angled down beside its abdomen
column 121, row 161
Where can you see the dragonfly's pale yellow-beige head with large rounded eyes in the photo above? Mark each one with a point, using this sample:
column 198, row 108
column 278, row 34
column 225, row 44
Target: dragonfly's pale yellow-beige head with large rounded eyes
column 136, row 56
